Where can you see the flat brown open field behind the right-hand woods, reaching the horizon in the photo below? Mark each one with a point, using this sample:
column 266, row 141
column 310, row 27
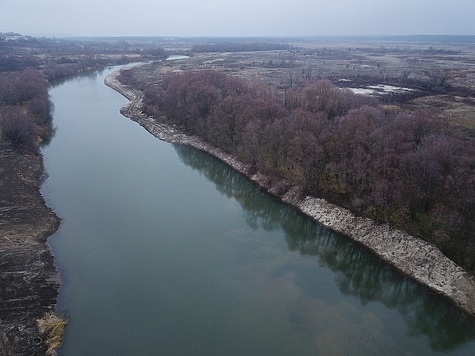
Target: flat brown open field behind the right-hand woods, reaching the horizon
column 436, row 77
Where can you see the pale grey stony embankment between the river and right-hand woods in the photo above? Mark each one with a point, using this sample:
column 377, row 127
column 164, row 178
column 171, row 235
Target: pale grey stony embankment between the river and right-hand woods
column 414, row 257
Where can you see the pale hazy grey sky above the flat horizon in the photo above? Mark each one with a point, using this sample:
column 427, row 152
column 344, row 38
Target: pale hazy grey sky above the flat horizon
column 237, row 17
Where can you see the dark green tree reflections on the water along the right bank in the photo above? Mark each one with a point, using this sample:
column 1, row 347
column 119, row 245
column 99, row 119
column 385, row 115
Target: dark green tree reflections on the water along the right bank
column 358, row 272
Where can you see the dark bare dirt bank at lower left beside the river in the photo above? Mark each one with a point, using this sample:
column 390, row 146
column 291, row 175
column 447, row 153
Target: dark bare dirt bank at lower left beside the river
column 28, row 278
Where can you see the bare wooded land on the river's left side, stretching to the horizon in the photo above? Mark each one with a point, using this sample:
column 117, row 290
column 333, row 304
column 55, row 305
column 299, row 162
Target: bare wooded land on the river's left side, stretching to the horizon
column 28, row 66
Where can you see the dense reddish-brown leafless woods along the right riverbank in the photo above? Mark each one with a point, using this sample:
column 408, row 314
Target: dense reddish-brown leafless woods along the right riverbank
column 401, row 168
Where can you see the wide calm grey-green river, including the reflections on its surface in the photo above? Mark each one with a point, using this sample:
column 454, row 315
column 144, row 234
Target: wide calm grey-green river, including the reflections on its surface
column 164, row 250
